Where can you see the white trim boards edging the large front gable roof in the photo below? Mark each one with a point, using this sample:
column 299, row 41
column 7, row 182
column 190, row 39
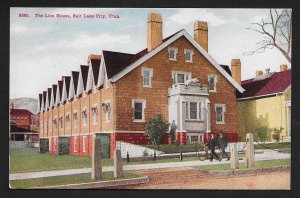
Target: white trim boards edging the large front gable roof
column 168, row 42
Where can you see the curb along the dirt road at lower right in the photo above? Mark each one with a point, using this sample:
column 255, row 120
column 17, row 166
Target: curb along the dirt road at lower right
column 246, row 171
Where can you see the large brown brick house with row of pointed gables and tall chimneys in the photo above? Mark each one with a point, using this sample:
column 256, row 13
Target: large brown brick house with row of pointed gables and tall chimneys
column 115, row 94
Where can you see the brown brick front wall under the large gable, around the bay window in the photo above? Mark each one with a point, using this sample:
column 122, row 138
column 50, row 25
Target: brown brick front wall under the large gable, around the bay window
column 156, row 97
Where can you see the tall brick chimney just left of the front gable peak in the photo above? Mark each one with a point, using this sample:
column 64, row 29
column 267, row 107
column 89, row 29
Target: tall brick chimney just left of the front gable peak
column 154, row 31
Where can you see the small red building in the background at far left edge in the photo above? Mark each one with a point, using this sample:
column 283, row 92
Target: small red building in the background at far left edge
column 21, row 116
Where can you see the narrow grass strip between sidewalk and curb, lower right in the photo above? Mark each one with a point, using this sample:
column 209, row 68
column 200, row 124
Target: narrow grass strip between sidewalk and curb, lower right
column 258, row 164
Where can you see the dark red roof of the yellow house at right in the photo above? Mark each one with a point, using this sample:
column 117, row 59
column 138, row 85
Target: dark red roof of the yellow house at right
column 276, row 83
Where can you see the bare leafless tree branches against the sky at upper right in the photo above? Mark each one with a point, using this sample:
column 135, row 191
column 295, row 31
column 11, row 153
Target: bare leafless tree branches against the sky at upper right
column 276, row 32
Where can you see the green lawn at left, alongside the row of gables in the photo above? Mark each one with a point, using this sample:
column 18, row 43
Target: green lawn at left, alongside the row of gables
column 29, row 159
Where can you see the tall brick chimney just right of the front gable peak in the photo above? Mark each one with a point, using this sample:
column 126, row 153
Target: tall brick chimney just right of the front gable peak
column 201, row 34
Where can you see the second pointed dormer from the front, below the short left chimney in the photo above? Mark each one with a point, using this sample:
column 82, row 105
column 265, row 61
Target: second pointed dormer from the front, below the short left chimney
column 94, row 66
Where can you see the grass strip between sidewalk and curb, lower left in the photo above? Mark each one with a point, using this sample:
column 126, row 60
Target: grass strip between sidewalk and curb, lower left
column 68, row 179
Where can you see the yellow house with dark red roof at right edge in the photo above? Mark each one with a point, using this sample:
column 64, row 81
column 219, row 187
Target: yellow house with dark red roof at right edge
column 266, row 102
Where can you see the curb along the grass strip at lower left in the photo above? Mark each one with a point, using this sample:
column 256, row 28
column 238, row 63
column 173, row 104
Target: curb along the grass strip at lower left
column 101, row 184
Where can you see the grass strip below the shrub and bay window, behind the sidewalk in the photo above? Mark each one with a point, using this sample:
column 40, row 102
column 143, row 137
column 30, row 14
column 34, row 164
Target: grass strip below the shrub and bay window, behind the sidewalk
column 168, row 148
